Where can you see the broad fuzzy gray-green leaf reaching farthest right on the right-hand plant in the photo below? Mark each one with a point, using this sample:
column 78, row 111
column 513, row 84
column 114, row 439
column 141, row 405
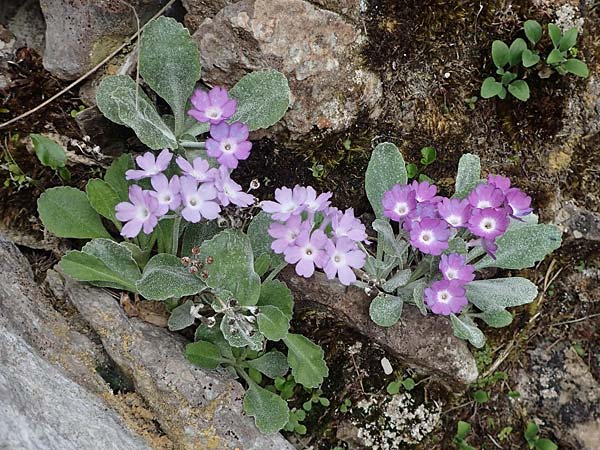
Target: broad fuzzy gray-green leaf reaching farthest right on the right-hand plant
column 523, row 247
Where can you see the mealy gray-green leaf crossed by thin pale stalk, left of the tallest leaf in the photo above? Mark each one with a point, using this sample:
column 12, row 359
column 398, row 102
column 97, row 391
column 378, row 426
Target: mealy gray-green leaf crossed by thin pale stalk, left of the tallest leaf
column 123, row 102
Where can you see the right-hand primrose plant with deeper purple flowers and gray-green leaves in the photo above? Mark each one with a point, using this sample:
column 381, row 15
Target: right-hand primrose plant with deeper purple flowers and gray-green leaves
column 433, row 257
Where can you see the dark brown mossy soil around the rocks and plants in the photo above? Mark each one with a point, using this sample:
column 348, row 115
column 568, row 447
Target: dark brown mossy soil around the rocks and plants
column 431, row 56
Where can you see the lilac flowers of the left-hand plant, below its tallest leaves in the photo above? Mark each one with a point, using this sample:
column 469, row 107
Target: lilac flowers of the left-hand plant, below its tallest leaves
column 199, row 191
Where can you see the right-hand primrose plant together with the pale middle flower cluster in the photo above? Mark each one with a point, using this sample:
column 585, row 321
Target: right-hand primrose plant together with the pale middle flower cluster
column 432, row 257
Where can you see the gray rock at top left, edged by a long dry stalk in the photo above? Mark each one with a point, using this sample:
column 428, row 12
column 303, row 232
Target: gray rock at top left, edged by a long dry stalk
column 80, row 34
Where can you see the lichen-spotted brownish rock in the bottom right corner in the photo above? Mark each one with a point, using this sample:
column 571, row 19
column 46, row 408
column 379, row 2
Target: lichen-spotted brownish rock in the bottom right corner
column 559, row 388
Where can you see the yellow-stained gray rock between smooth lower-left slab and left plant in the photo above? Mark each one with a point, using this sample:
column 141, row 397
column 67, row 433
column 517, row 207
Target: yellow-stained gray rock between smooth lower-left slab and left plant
column 198, row 409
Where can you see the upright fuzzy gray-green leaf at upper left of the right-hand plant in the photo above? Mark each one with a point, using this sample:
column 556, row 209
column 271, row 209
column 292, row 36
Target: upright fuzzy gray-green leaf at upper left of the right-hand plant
column 386, row 168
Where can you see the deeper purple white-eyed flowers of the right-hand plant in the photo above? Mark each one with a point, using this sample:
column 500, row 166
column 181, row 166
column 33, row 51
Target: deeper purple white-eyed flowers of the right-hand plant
column 431, row 221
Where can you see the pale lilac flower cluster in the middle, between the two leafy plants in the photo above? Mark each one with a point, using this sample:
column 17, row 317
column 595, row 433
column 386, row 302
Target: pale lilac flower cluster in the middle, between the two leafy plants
column 310, row 233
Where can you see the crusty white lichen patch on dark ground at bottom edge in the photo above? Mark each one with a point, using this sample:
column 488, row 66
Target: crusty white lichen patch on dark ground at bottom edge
column 396, row 420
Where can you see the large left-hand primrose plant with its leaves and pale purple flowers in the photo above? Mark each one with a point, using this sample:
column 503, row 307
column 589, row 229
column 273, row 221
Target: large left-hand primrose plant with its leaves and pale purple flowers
column 166, row 208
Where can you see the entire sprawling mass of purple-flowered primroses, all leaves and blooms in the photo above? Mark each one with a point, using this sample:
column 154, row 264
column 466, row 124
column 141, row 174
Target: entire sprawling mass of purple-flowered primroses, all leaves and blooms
column 178, row 231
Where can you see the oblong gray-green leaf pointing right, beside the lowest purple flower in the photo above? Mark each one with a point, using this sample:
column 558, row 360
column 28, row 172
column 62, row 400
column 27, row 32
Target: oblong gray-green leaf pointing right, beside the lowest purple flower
column 500, row 293
